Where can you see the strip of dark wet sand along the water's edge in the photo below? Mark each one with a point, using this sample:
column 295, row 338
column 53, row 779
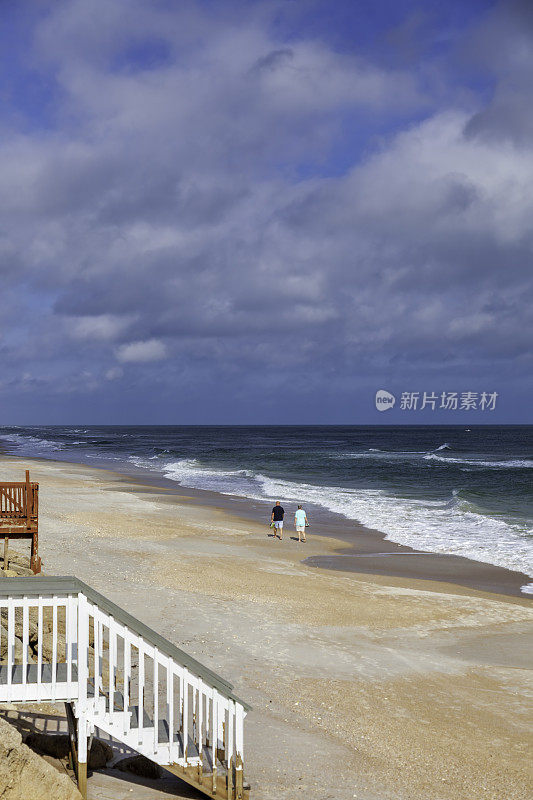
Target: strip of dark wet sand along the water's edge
column 360, row 550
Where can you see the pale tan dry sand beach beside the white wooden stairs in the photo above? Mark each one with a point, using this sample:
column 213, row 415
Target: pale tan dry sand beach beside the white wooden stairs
column 363, row 685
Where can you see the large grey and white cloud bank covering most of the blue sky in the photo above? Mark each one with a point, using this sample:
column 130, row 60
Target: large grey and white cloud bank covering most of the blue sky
column 169, row 239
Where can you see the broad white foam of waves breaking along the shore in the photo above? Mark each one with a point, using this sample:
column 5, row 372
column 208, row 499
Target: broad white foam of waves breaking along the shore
column 450, row 526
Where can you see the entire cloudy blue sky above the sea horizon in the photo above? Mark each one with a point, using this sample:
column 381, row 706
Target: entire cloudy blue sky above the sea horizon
column 264, row 212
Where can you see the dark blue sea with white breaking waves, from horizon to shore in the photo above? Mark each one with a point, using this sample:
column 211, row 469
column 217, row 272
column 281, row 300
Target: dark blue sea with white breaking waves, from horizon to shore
column 443, row 489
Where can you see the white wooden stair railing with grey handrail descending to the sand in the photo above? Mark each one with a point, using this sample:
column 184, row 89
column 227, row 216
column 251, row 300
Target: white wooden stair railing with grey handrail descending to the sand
column 62, row 641
